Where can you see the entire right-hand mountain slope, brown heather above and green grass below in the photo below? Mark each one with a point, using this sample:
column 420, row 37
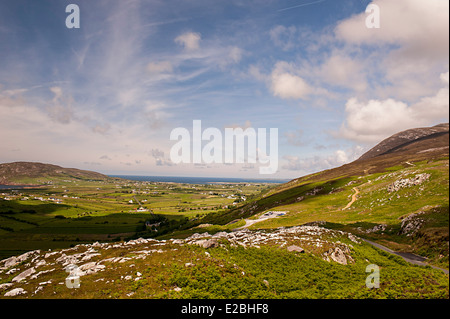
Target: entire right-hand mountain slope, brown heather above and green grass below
column 399, row 198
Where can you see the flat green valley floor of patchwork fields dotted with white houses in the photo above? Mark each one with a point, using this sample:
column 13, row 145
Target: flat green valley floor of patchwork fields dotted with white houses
column 66, row 212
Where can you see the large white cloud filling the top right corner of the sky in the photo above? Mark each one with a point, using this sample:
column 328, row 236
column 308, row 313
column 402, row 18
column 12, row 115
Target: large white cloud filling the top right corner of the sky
column 421, row 27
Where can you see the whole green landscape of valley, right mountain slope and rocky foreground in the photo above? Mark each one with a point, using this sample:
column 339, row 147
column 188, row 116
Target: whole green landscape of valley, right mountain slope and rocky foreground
column 312, row 237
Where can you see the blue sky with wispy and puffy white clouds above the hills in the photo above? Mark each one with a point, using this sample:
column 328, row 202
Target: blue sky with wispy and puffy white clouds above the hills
column 107, row 95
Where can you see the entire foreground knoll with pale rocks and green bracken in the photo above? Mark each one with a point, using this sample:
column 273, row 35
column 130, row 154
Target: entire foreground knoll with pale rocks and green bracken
column 245, row 264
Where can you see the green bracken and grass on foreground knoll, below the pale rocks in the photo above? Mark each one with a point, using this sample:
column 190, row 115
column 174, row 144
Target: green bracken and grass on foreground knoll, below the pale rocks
column 270, row 272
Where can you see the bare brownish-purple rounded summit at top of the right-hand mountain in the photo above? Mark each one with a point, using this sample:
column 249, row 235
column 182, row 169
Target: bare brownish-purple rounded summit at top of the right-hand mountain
column 405, row 138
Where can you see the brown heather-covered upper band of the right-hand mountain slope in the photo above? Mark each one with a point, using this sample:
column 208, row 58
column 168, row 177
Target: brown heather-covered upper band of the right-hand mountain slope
column 416, row 148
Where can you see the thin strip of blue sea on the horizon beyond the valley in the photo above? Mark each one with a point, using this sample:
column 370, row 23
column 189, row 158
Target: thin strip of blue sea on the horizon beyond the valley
column 199, row 180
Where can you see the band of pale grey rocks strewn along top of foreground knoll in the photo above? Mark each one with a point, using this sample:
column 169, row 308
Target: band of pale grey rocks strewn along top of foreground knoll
column 27, row 270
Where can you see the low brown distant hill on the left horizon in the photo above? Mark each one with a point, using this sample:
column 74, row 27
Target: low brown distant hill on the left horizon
column 24, row 173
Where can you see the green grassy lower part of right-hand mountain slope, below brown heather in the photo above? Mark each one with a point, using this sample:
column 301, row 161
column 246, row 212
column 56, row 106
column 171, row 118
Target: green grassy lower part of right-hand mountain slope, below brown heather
column 315, row 198
